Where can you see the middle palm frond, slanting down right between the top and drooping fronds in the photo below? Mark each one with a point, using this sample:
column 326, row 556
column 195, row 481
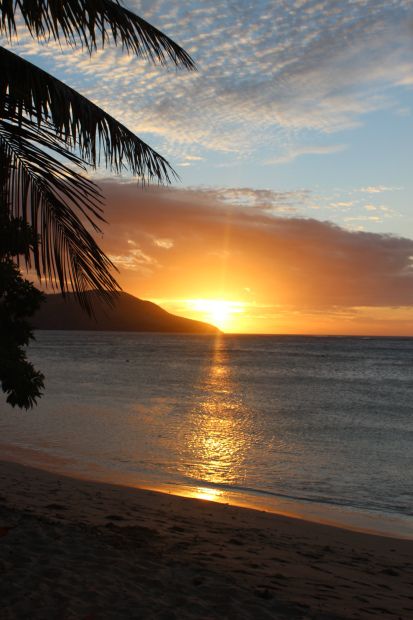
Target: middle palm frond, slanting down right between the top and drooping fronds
column 26, row 90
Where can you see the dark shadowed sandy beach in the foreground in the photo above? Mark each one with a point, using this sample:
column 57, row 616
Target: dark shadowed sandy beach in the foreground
column 73, row 549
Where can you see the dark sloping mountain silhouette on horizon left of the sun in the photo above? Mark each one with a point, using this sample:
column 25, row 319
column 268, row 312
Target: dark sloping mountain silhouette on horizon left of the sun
column 128, row 314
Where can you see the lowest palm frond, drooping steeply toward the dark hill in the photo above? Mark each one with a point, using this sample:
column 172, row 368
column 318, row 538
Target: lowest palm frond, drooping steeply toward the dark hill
column 57, row 202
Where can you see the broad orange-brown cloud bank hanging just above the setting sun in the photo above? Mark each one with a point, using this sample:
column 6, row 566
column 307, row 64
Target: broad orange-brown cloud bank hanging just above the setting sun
column 223, row 249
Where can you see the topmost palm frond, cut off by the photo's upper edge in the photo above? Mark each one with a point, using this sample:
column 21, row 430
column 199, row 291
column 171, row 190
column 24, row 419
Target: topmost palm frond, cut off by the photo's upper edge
column 93, row 23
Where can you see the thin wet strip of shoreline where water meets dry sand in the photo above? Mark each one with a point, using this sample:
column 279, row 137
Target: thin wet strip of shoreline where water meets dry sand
column 342, row 517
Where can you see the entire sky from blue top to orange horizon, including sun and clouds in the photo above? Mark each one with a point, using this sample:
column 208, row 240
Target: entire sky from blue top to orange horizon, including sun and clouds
column 293, row 142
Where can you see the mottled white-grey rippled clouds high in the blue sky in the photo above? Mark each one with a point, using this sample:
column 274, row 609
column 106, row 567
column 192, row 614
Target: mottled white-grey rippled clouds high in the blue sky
column 267, row 72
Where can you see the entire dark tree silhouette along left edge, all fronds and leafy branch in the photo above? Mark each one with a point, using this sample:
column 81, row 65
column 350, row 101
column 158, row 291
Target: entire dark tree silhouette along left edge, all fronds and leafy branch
column 49, row 133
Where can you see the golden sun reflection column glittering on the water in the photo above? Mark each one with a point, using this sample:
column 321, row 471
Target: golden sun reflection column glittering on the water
column 218, row 437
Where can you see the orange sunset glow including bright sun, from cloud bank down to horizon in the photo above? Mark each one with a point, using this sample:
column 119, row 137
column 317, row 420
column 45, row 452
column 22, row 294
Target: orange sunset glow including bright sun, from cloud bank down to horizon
column 248, row 271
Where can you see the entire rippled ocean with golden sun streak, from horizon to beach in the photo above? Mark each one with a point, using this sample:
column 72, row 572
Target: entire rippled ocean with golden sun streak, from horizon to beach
column 320, row 427
